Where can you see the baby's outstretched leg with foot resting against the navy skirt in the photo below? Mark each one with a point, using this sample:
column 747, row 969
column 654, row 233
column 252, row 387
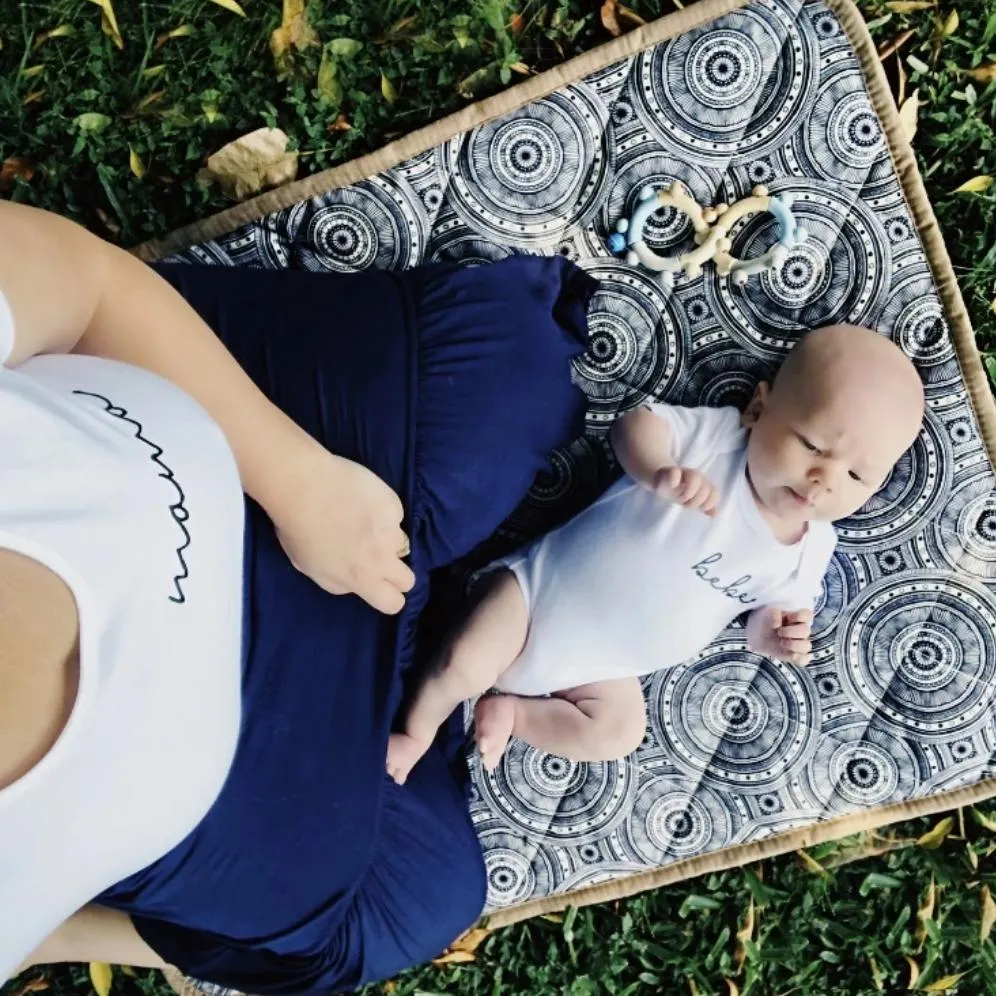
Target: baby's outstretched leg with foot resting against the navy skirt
column 470, row 663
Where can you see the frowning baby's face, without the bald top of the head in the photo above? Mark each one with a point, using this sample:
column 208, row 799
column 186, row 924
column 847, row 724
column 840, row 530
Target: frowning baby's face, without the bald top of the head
column 819, row 455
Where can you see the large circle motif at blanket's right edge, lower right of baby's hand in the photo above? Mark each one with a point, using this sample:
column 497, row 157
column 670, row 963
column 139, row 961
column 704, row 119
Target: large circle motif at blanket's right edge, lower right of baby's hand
column 919, row 653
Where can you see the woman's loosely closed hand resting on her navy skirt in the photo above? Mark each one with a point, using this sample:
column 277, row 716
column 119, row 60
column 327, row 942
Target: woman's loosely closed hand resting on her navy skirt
column 340, row 525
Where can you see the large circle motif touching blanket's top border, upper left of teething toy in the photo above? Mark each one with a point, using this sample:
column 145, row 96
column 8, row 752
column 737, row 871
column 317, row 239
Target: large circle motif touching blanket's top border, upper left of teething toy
column 526, row 178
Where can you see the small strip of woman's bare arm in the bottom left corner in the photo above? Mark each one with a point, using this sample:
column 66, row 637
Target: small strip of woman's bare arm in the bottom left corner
column 95, row 933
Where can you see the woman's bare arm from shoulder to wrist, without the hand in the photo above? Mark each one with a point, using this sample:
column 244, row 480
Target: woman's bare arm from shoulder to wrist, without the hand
column 70, row 291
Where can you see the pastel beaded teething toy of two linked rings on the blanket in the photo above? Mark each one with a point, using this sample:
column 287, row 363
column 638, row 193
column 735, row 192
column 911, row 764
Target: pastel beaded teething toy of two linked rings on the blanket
column 712, row 226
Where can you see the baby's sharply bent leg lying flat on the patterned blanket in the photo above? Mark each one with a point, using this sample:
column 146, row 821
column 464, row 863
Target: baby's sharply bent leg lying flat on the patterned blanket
column 602, row 721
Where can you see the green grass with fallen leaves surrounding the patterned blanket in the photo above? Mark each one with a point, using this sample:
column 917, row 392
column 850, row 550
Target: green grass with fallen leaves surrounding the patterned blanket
column 173, row 104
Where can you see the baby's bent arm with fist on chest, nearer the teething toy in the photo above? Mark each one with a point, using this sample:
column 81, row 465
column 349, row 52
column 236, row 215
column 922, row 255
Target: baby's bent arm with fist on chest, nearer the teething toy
column 643, row 446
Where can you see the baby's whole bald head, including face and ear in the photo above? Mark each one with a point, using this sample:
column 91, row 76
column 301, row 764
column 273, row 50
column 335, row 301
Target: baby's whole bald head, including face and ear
column 845, row 406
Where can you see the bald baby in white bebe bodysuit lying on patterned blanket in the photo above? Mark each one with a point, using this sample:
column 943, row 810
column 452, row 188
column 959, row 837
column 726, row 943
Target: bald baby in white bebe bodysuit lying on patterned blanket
column 718, row 514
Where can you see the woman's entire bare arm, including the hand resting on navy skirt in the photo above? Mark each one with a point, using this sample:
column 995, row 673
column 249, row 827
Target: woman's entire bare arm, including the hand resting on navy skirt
column 72, row 292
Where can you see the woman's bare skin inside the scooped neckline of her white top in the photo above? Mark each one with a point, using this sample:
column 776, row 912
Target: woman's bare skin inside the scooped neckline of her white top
column 39, row 662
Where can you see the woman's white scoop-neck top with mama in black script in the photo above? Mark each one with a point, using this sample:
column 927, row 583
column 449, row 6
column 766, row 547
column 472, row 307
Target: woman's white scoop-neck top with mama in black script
column 122, row 485
